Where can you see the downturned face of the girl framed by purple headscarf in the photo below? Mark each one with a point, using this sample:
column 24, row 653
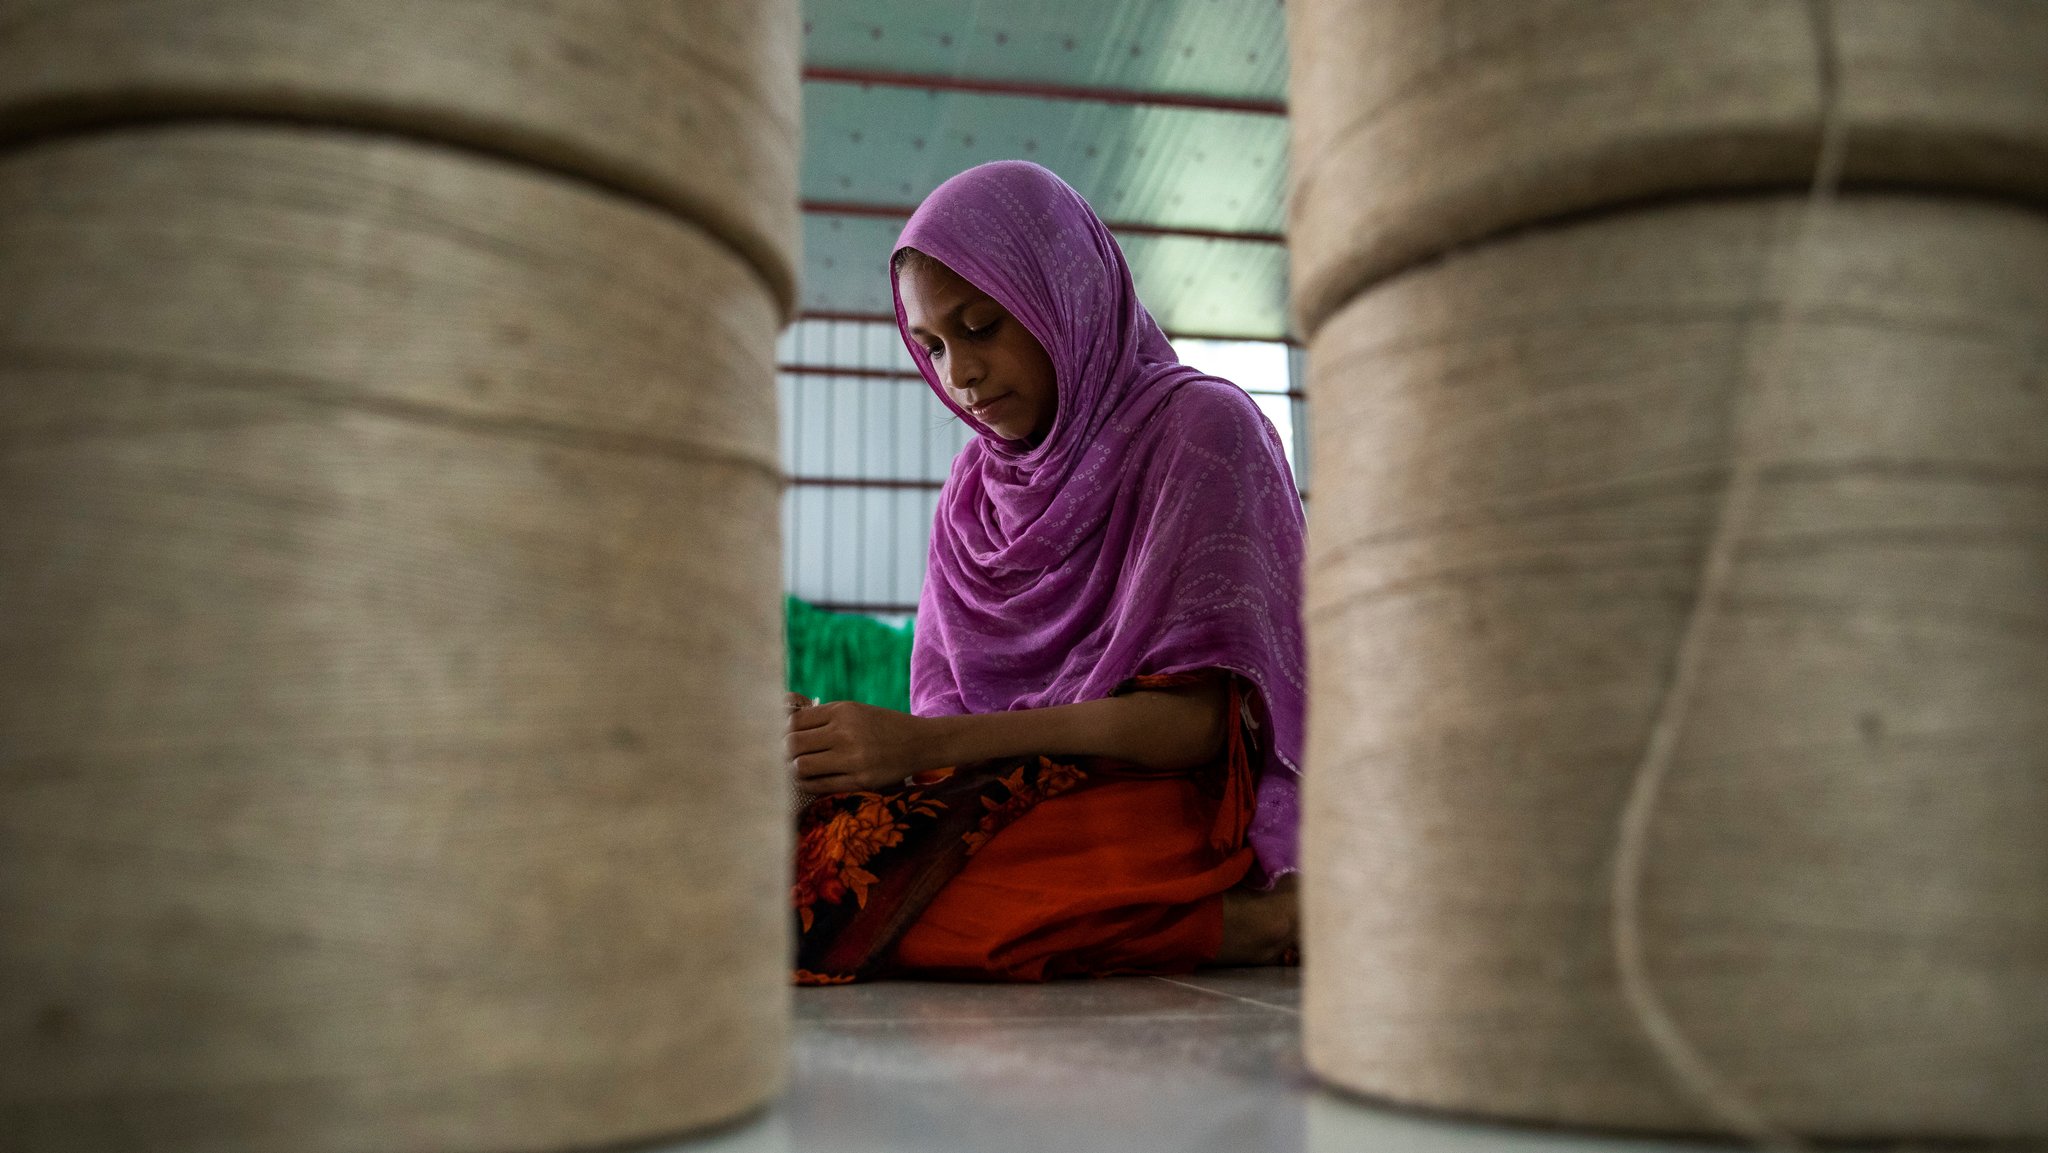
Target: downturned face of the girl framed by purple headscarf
column 988, row 364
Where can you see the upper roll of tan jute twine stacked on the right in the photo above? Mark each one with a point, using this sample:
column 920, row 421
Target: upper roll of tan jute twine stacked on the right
column 1431, row 124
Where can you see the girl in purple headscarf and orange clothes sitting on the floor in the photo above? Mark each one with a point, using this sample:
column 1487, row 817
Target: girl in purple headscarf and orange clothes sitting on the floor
column 1099, row 773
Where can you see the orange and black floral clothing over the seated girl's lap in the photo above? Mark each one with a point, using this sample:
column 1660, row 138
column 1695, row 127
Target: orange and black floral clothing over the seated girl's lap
column 1027, row 869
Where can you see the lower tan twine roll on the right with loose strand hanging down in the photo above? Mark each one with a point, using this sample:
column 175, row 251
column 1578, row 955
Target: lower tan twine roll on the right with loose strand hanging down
column 1523, row 458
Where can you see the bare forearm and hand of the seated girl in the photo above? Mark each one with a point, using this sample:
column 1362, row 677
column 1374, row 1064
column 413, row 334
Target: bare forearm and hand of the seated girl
column 845, row 746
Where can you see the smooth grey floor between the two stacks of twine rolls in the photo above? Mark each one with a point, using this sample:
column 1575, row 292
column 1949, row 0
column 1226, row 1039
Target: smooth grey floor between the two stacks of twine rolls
column 1207, row 1064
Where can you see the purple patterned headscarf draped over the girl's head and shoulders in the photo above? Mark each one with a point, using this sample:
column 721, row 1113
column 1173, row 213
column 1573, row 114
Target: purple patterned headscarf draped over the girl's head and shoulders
column 1154, row 531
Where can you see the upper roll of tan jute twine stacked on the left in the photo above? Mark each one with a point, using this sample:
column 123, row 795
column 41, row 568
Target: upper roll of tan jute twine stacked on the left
column 693, row 108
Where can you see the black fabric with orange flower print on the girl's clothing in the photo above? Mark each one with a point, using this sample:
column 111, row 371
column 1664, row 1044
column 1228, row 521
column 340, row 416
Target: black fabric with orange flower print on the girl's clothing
column 869, row 863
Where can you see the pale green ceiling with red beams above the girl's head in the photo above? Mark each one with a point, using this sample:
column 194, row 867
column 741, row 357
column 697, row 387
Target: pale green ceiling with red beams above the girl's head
column 1097, row 91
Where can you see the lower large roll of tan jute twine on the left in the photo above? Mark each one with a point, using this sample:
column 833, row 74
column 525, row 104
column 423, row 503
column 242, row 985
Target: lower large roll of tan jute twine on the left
column 390, row 681
